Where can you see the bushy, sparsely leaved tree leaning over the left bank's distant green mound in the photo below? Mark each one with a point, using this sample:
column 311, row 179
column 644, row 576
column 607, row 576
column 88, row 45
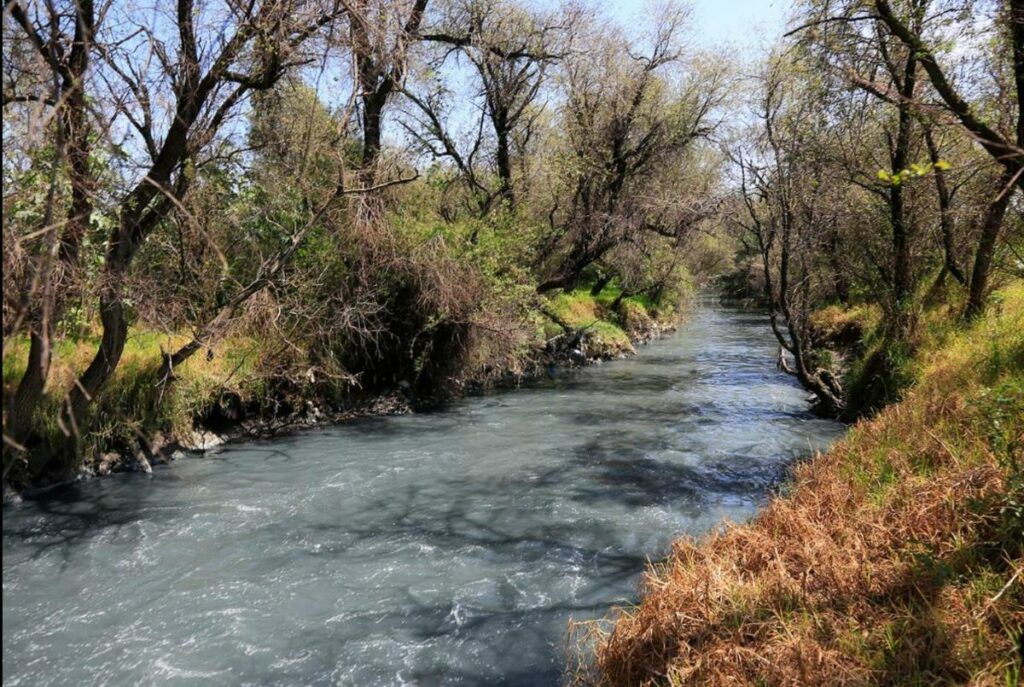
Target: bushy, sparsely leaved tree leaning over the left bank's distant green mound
column 632, row 123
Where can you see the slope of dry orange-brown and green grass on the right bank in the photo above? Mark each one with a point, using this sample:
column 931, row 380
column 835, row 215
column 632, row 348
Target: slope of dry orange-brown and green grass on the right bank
column 895, row 559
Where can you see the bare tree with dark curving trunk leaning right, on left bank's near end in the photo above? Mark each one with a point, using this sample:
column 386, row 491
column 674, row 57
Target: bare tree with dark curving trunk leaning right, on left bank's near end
column 204, row 77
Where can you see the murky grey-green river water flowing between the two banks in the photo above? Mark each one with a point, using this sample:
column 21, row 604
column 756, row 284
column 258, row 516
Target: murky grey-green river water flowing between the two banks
column 437, row 549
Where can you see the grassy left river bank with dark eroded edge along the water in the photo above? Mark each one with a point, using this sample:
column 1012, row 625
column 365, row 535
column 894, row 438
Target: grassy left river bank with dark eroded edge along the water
column 227, row 398
